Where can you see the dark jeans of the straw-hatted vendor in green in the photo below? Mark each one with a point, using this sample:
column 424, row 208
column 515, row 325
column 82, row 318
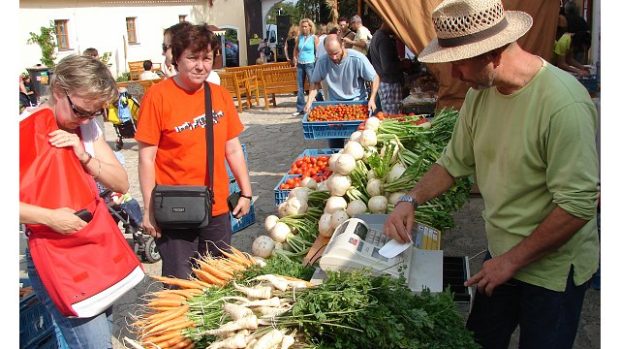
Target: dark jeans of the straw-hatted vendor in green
column 546, row 319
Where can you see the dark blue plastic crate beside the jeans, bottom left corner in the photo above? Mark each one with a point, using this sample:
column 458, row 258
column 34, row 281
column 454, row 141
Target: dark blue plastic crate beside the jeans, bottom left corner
column 36, row 329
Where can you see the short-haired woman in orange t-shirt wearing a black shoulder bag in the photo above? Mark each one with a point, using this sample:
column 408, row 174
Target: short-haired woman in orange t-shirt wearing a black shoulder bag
column 172, row 149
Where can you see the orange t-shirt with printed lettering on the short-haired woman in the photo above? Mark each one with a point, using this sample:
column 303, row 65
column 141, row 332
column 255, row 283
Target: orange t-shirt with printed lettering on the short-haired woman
column 173, row 119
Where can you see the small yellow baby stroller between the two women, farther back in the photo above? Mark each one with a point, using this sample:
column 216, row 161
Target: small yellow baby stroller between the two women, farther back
column 124, row 116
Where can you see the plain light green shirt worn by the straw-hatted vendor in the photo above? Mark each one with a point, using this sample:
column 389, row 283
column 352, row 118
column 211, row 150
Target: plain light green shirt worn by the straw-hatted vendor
column 530, row 152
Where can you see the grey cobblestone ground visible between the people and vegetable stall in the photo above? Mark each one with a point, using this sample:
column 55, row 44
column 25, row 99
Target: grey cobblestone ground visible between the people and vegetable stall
column 273, row 138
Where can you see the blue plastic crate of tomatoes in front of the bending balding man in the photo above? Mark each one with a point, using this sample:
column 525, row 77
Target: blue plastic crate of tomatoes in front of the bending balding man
column 330, row 129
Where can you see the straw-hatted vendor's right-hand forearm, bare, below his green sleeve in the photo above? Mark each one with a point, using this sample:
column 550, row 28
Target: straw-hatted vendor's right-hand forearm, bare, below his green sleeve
column 554, row 231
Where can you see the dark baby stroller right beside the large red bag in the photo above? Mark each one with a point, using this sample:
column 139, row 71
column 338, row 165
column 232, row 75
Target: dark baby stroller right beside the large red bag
column 126, row 210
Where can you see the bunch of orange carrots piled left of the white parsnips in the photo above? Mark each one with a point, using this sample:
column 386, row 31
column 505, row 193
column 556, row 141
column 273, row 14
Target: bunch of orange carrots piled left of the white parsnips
column 163, row 325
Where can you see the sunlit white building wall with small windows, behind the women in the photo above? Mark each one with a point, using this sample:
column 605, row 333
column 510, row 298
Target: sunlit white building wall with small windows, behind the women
column 93, row 24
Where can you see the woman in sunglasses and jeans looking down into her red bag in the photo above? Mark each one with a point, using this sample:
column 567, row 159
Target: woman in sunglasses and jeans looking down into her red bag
column 80, row 88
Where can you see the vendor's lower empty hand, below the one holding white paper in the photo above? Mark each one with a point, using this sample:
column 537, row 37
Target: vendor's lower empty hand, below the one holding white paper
column 494, row 272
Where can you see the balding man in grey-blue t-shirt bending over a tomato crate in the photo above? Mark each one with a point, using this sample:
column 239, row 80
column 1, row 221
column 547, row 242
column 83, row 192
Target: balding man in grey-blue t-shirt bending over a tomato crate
column 346, row 72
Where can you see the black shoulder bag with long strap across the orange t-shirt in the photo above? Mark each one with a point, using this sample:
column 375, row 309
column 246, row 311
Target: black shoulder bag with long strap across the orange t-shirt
column 188, row 206
